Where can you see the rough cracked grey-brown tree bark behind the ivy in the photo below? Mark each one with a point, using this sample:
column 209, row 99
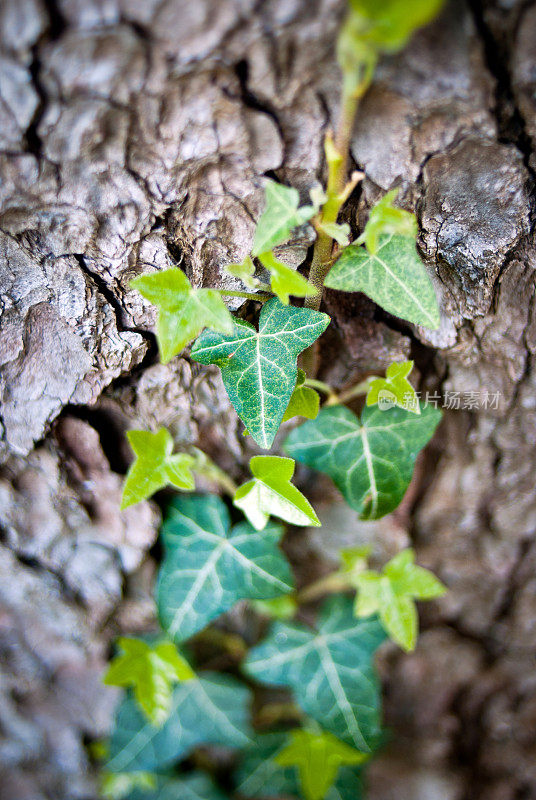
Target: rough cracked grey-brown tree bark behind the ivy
column 135, row 134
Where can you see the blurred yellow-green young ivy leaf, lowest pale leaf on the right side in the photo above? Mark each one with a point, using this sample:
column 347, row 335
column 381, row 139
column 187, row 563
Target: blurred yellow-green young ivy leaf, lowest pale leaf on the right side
column 392, row 593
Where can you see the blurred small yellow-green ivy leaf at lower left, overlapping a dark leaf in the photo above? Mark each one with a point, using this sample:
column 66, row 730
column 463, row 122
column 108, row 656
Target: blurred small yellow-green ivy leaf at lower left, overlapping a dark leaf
column 151, row 671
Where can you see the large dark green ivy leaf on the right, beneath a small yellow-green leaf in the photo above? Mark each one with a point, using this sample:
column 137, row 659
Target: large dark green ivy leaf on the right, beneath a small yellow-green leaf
column 371, row 460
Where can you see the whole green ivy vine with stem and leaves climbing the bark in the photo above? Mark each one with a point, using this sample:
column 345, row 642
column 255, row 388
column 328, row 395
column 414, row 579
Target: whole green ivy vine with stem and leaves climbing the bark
column 315, row 746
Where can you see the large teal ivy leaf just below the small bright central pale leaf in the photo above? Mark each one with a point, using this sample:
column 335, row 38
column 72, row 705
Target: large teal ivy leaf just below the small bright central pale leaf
column 208, row 567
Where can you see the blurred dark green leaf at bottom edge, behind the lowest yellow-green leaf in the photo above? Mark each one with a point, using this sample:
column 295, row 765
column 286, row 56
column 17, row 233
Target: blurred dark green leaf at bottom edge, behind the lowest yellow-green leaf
column 259, row 774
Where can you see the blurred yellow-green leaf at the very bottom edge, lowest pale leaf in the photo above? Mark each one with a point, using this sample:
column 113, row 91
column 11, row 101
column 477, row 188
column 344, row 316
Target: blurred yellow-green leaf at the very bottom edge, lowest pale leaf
column 318, row 758
